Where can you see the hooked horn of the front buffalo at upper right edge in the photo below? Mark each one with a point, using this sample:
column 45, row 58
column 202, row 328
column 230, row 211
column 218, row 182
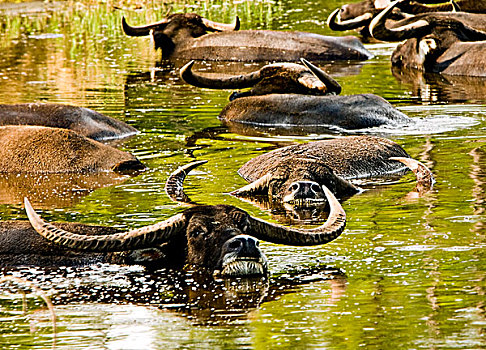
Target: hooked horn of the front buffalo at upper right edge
column 379, row 30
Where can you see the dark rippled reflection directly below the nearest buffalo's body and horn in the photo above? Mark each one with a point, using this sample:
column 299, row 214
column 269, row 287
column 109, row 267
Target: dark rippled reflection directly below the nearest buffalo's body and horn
column 199, row 297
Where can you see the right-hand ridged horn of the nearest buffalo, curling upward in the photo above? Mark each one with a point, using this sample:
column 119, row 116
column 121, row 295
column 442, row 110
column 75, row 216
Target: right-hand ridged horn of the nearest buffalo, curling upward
column 323, row 234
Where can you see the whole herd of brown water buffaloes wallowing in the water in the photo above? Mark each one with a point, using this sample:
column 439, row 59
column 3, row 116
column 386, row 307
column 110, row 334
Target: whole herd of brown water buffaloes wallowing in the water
column 37, row 138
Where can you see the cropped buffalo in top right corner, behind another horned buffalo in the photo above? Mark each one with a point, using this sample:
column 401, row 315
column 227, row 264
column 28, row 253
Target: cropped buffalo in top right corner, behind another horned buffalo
column 359, row 15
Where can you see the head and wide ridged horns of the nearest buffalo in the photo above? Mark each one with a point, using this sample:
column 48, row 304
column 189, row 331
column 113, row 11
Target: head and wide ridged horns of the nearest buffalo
column 221, row 239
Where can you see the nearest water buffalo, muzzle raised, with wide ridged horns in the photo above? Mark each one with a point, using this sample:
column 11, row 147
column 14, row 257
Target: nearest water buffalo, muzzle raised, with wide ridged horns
column 221, row 239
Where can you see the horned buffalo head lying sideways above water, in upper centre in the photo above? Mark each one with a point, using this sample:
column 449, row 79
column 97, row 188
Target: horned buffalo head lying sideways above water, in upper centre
column 274, row 78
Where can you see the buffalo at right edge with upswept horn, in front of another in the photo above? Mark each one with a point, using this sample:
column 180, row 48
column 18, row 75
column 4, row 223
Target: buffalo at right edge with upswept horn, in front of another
column 448, row 45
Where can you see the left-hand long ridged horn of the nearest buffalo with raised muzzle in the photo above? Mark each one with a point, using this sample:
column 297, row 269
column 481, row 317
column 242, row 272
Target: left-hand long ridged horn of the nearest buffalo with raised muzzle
column 144, row 237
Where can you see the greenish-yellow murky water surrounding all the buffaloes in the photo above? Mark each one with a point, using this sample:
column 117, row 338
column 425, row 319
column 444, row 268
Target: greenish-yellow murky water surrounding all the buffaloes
column 407, row 273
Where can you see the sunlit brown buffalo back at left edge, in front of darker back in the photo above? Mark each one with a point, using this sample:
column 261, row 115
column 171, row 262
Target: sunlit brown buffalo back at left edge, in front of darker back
column 38, row 149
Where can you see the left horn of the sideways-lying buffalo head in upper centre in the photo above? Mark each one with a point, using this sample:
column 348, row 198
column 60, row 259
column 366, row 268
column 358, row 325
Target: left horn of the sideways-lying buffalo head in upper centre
column 235, row 82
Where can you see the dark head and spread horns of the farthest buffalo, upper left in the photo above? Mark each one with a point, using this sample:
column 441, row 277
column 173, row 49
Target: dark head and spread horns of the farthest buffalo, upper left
column 177, row 28
